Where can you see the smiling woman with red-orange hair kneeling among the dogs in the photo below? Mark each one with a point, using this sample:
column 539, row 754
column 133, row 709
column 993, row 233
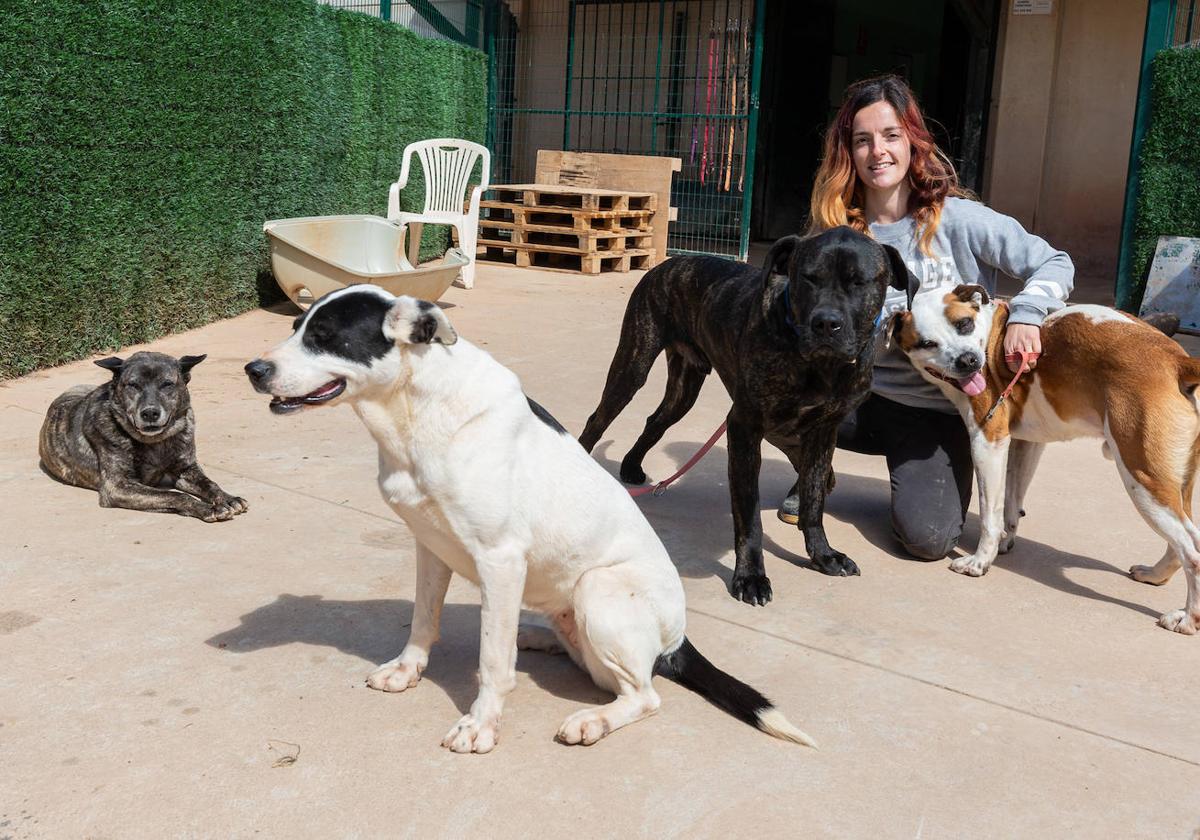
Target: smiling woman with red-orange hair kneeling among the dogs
column 885, row 176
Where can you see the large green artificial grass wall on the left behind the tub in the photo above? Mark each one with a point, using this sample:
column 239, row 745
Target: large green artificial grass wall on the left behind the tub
column 143, row 143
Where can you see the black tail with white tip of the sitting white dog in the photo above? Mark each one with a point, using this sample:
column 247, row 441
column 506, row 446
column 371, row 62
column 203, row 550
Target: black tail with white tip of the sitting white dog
column 689, row 668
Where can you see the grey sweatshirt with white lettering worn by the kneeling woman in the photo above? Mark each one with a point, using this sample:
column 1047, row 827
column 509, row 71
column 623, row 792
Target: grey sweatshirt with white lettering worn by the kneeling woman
column 974, row 244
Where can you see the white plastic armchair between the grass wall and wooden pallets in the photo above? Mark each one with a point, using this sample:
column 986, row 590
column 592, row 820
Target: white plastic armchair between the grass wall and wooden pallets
column 448, row 165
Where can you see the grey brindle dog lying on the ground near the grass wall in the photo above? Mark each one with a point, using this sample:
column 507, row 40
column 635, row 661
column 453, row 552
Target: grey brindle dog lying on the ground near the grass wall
column 134, row 440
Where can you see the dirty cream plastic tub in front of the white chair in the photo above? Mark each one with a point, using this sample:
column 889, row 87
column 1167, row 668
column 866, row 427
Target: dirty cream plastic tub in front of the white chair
column 317, row 255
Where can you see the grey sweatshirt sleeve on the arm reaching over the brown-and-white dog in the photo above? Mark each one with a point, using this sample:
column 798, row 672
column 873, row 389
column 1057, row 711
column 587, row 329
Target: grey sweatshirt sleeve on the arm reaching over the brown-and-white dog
column 1048, row 274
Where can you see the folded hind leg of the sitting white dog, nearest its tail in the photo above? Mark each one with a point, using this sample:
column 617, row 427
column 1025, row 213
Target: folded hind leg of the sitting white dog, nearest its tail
column 621, row 638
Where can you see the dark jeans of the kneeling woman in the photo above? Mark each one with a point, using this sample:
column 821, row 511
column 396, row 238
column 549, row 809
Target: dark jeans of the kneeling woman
column 931, row 466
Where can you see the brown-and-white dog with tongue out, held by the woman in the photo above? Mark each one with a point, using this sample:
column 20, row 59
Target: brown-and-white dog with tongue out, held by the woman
column 1103, row 374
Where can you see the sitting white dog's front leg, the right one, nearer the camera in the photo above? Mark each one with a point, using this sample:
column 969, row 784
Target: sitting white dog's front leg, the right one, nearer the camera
column 501, row 584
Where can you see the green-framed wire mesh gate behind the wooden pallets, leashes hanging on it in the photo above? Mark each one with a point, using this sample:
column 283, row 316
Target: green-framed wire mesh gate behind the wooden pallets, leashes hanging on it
column 635, row 77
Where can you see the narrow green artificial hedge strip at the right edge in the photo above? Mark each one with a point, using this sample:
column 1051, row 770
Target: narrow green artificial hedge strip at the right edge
column 1169, row 184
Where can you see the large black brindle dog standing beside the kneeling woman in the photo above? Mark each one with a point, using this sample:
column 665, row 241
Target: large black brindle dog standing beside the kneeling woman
column 794, row 345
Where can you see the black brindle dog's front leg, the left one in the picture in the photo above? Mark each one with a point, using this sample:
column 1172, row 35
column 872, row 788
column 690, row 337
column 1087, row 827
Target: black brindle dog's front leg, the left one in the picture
column 751, row 583
